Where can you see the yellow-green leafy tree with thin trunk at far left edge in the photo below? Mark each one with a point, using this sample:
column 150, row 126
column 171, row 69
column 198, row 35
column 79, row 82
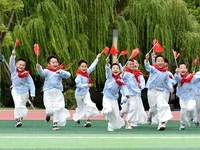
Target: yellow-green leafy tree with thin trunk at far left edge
column 7, row 11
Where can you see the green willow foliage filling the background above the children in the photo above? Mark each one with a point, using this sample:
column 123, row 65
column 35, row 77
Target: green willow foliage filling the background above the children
column 80, row 29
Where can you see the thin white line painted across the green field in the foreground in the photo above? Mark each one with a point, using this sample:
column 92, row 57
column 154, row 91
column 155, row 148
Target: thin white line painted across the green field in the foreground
column 99, row 137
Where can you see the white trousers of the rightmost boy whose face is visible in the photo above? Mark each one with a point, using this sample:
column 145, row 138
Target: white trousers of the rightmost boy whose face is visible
column 187, row 111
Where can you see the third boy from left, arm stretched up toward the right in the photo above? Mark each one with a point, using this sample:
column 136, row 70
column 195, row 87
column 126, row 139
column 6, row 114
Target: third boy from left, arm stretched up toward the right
column 85, row 106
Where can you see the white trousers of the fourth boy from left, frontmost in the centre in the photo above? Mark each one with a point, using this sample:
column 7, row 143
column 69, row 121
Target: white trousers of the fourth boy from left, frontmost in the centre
column 111, row 112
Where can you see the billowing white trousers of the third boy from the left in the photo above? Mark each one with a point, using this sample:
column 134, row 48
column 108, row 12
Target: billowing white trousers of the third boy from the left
column 85, row 106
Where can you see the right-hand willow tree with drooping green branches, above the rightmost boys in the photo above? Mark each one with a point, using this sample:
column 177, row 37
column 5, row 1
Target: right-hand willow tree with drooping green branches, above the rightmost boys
column 169, row 22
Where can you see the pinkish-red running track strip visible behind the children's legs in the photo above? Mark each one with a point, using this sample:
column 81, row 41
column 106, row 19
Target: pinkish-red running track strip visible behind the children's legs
column 40, row 115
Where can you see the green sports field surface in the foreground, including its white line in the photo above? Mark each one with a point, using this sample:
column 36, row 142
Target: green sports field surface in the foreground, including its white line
column 38, row 135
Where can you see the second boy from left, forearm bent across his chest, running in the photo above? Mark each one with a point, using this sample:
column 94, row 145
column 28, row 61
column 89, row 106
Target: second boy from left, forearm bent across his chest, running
column 53, row 97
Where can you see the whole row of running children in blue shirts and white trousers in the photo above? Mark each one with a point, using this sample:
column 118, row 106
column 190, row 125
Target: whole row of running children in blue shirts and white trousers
column 127, row 80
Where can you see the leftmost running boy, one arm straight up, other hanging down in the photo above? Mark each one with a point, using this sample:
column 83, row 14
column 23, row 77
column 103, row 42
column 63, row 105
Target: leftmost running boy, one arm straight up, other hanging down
column 22, row 82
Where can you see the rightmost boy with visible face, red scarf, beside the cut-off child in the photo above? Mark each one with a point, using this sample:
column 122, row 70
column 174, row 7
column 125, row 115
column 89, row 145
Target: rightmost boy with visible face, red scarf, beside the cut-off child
column 186, row 94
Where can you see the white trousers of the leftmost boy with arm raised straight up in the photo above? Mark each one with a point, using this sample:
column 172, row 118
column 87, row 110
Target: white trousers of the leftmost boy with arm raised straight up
column 20, row 101
